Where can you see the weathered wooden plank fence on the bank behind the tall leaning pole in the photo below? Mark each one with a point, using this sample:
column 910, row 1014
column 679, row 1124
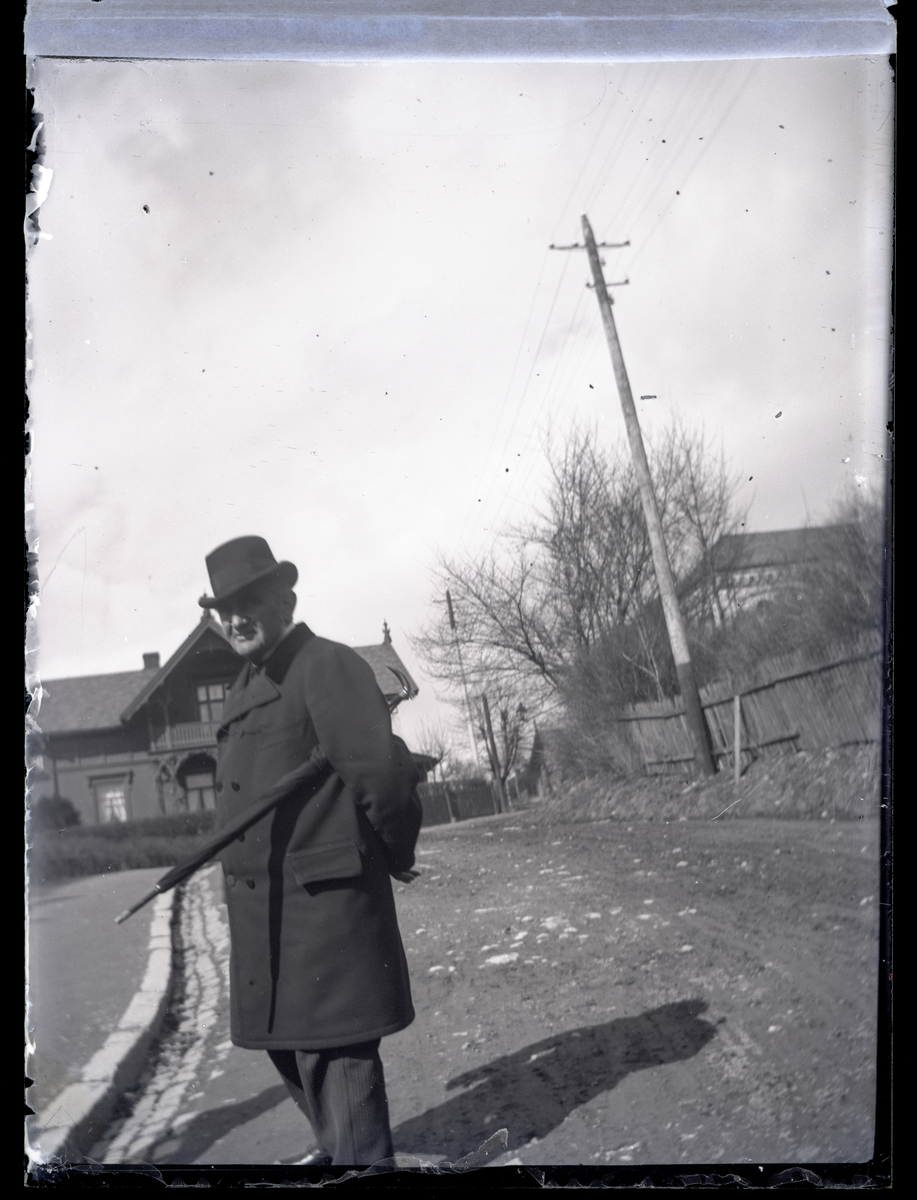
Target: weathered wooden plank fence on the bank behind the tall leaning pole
column 798, row 706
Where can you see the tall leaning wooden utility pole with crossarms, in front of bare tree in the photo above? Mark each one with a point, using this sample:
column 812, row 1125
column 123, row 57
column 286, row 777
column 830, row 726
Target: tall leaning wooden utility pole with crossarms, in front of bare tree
column 694, row 717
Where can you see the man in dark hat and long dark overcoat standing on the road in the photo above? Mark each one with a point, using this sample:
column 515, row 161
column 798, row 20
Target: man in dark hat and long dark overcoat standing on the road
column 319, row 973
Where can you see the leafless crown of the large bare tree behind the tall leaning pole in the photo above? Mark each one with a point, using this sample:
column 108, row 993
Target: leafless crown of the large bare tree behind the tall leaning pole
column 580, row 578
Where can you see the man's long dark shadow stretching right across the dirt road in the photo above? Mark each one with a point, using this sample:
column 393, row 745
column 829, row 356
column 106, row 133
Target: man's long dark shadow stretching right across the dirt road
column 535, row 1090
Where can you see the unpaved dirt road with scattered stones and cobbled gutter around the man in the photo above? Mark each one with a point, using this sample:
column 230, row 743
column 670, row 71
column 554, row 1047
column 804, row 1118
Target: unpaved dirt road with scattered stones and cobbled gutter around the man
column 608, row 993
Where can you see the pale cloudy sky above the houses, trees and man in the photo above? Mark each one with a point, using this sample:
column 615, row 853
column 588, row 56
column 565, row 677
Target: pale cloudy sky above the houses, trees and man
column 317, row 303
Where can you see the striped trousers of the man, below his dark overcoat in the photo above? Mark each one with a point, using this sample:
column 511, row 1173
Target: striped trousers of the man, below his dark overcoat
column 343, row 1094
